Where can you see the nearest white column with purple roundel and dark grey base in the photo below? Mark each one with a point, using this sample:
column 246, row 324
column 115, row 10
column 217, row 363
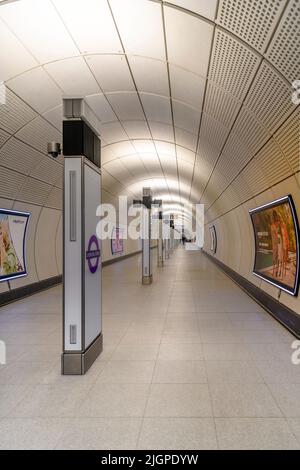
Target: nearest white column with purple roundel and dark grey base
column 82, row 319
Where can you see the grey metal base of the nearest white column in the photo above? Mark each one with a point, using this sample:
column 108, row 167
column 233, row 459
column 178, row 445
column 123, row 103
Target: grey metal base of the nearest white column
column 78, row 363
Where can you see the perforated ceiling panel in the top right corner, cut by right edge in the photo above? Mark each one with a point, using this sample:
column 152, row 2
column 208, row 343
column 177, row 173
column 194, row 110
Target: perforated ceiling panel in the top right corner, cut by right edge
column 285, row 46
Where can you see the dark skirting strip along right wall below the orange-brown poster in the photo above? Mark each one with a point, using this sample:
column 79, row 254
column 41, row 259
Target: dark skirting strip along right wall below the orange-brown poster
column 286, row 316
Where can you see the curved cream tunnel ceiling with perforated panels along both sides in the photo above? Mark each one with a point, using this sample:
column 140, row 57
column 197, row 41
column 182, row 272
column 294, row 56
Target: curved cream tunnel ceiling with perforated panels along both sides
column 194, row 96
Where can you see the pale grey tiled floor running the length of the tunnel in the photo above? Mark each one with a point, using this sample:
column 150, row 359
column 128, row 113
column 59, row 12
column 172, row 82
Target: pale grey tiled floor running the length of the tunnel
column 190, row 362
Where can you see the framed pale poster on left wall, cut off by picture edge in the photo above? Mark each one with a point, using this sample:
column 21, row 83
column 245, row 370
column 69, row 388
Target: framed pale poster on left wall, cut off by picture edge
column 13, row 228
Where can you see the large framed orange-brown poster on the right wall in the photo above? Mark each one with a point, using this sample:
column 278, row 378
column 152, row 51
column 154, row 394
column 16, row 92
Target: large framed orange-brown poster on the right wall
column 276, row 233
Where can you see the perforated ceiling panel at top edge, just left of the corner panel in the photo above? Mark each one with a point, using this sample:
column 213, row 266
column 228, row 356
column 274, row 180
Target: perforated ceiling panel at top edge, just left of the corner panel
column 251, row 20
